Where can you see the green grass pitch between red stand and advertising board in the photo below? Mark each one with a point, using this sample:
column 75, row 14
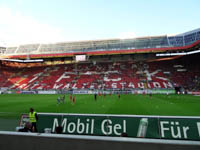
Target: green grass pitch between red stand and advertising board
column 12, row 106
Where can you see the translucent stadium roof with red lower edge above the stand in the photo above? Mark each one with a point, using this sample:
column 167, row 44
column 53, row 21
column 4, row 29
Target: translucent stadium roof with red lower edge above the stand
column 139, row 44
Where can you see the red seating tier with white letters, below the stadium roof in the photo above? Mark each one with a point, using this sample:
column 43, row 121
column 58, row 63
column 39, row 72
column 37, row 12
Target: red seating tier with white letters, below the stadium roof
column 106, row 75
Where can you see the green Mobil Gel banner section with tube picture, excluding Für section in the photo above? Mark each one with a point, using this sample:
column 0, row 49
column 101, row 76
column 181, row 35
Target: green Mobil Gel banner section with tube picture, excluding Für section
column 99, row 125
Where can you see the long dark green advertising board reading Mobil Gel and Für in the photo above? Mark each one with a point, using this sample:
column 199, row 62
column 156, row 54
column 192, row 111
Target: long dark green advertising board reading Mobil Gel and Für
column 120, row 125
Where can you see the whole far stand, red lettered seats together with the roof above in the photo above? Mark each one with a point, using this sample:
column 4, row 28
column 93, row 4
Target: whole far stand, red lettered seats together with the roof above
column 110, row 64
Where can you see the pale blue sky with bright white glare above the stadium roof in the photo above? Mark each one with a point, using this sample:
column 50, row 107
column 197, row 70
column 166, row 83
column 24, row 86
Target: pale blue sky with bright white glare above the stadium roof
column 50, row 21
